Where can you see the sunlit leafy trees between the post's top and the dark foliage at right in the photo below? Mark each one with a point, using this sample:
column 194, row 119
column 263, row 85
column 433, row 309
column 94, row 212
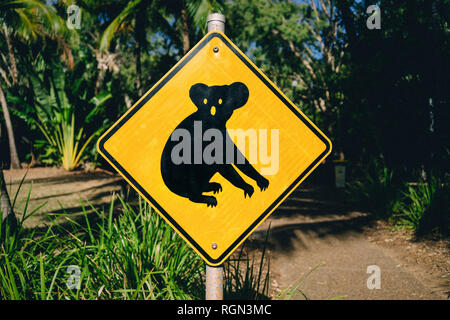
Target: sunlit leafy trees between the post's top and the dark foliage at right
column 299, row 45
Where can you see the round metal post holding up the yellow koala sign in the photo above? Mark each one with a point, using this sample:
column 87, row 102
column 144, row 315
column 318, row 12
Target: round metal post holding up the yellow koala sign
column 214, row 275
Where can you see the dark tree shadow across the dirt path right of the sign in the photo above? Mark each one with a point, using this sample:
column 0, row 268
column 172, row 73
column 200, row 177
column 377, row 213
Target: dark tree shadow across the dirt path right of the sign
column 308, row 214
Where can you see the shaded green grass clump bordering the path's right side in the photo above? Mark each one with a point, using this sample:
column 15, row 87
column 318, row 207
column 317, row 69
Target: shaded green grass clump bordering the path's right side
column 422, row 206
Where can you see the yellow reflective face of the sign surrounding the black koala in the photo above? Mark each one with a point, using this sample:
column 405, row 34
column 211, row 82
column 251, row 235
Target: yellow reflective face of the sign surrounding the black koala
column 135, row 143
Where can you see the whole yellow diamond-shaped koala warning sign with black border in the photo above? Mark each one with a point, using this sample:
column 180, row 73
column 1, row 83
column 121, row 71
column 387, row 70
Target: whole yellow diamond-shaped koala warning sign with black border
column 214, row 147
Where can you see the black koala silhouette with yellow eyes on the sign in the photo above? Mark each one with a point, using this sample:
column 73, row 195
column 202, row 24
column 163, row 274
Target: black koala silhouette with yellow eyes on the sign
column 189, row 179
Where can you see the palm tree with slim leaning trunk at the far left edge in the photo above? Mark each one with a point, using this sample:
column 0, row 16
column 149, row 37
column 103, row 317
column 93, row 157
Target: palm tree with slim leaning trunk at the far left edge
column 23, row 21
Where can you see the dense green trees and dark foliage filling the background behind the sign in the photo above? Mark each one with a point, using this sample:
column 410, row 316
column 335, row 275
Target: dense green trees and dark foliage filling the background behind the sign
column 382, row 95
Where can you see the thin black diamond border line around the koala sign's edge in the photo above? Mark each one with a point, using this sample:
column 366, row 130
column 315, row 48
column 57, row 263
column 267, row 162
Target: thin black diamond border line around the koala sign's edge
column 149, row 95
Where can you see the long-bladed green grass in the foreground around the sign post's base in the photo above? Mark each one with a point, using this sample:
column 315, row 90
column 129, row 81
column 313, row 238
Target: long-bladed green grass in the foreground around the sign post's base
column 124, row 252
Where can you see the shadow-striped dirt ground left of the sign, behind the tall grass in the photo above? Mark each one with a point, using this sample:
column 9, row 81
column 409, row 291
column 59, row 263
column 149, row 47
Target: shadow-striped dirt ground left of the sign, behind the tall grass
column 61, row 191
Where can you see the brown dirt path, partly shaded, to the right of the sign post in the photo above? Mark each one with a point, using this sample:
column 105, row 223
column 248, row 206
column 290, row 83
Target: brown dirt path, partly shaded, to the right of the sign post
column 313, row 229
